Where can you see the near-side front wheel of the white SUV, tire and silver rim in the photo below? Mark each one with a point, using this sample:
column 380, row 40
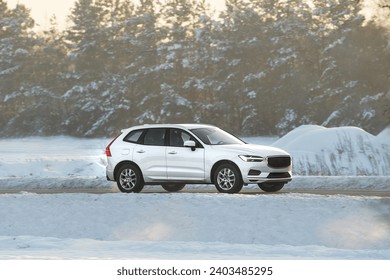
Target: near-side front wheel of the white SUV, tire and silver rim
column 227, row 178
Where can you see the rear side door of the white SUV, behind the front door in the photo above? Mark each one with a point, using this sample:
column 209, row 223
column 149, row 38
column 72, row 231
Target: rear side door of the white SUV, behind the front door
column 151, row 155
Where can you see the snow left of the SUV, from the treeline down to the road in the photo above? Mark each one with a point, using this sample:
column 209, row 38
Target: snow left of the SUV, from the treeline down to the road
column 52, row 163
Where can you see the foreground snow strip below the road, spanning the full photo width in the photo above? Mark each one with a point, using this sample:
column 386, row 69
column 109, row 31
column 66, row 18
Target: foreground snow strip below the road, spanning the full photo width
column 185, row 225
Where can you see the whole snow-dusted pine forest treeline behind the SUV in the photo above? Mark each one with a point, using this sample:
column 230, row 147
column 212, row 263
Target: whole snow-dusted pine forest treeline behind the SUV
column 260, row 67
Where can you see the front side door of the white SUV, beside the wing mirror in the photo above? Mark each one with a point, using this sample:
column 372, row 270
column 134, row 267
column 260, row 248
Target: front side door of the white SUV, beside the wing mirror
column 184, row 164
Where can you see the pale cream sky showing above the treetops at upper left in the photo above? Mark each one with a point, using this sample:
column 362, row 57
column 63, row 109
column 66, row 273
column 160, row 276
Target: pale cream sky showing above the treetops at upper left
column 43, row 10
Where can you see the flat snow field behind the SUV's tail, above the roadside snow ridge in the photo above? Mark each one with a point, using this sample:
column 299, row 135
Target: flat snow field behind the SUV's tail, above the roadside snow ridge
column 51, row 157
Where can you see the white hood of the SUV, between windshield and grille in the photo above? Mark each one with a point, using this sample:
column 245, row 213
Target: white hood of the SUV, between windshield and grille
column 252, row 149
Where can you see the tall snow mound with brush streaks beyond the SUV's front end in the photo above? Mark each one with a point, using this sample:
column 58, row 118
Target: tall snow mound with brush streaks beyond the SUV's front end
column 341, row 151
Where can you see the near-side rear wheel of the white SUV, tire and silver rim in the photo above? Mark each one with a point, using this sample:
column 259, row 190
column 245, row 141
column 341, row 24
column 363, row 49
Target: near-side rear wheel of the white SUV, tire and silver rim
column 129, row 179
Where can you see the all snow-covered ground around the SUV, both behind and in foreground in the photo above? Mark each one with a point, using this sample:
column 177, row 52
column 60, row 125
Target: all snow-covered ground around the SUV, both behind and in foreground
column 184, row 225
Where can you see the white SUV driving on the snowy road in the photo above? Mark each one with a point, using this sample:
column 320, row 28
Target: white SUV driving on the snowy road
column 175, row 155
